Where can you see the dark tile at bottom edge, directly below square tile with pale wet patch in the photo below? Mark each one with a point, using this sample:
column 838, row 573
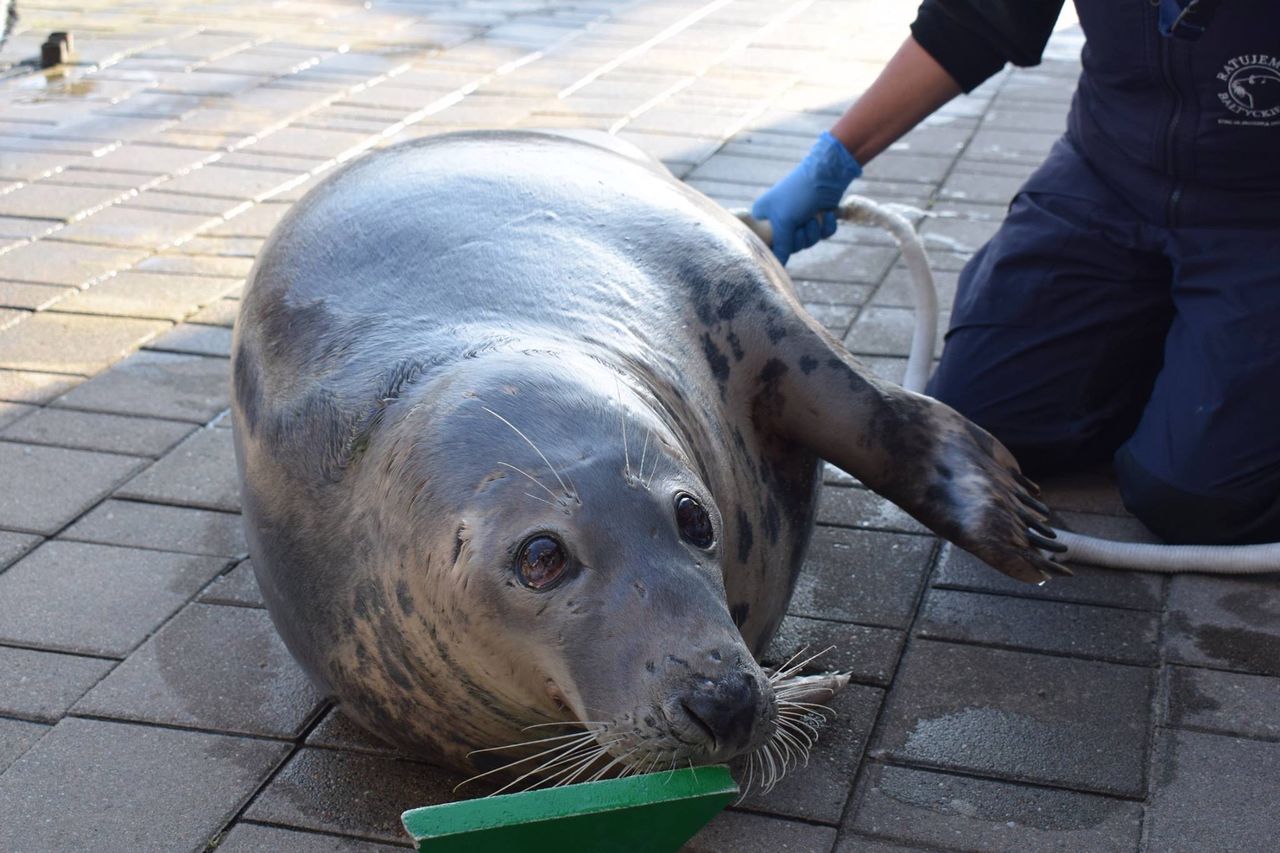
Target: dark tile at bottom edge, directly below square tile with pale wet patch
column 929, row 809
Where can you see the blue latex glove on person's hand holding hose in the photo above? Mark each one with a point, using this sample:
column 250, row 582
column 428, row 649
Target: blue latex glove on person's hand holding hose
column 802, row 207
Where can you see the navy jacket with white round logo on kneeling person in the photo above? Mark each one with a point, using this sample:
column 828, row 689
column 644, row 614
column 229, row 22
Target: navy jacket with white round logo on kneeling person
column 1187, row 131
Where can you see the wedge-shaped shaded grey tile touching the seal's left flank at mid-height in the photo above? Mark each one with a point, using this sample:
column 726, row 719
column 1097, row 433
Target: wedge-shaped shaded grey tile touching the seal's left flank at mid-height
column 200, row 472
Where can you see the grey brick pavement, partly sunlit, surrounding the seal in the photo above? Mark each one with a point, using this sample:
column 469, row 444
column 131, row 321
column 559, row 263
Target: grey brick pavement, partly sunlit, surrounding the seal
column 147, row 704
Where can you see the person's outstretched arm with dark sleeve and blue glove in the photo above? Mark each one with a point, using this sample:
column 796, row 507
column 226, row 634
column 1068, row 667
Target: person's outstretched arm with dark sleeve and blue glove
column 954, row 47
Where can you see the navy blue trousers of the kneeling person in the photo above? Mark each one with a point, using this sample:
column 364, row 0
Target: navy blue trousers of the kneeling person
column 1082, row 332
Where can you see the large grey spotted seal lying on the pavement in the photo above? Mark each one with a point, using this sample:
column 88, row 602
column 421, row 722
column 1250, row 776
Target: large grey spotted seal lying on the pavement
column 528, row 431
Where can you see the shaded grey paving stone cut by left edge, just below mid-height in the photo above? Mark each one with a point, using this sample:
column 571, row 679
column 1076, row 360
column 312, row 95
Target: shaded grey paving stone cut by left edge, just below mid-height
column 57, row 485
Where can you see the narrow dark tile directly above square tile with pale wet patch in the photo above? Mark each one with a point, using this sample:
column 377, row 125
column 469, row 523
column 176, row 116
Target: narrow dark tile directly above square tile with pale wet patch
column 1078, row 631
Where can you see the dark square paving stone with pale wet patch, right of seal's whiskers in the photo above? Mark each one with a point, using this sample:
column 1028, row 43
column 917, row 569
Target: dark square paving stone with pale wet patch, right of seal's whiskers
column 1018, row 717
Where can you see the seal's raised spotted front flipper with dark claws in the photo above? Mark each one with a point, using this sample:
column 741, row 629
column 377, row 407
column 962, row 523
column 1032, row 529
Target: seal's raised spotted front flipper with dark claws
column 948, row 473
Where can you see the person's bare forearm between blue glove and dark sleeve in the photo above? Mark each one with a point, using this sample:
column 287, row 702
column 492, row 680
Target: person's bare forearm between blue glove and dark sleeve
column 908, row 90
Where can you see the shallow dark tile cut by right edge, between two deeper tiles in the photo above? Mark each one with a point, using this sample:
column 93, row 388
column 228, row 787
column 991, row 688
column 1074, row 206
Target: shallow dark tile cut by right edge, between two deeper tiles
column 1226, row 703
